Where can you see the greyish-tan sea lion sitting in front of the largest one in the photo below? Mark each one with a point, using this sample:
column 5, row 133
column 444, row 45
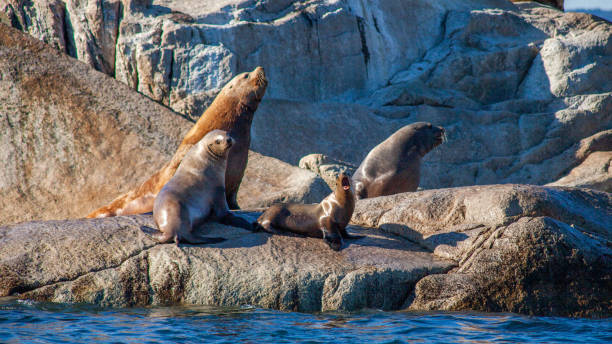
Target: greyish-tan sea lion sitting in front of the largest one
column 196, row 193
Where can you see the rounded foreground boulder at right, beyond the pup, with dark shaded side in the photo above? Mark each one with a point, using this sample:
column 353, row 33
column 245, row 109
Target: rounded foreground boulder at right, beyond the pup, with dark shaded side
column 525, row 249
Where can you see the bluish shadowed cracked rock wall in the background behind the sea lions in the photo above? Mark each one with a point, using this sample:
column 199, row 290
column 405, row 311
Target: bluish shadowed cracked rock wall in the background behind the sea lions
column 517, row 86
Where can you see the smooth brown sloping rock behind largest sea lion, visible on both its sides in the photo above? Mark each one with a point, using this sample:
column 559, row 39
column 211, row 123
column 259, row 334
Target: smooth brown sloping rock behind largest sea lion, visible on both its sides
column 72, row 139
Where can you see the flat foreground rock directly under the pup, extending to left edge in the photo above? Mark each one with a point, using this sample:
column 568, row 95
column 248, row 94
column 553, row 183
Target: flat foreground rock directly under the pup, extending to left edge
column 63, row 261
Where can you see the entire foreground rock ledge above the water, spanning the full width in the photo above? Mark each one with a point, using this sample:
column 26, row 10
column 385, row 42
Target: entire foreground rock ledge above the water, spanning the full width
column 517, row 248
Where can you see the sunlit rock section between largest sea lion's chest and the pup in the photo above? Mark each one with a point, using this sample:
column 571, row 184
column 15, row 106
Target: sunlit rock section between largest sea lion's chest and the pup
column 267, row 181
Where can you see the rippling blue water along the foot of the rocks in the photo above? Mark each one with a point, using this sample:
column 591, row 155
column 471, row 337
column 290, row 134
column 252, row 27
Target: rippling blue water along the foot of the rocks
column 29, row 322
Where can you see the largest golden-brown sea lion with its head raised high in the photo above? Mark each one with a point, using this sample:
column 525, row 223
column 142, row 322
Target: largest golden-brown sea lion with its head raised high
column 232, row 111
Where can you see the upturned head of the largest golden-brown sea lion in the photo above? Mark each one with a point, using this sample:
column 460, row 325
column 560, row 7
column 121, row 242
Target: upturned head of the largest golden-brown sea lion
column 247, row 88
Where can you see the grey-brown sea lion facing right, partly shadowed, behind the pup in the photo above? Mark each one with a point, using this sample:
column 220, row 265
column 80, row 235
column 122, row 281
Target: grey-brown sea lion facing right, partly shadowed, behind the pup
column 394, row 166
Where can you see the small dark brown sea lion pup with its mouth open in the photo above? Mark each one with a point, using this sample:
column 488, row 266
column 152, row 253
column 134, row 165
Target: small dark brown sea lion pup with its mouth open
column 327, row 220
